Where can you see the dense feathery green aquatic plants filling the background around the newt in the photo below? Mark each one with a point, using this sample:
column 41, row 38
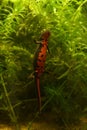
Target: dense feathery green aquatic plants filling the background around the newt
column 65, row 84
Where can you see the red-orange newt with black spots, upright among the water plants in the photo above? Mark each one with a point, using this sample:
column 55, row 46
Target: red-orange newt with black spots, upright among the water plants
column 39, row 61
